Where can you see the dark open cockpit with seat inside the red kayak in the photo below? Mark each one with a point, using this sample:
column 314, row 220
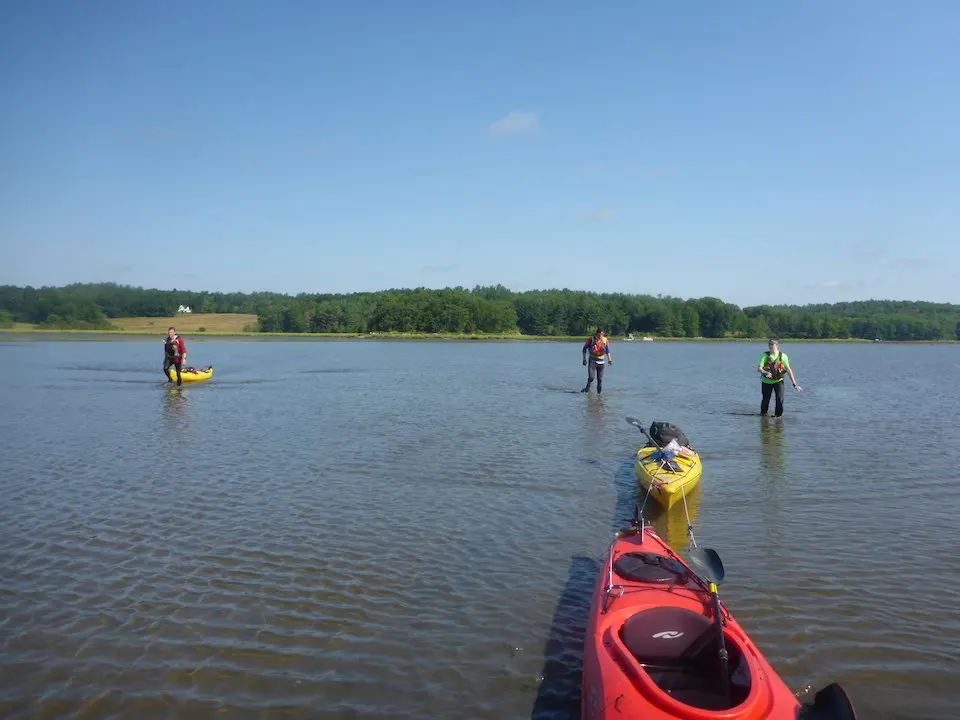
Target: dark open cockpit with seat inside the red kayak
column 678, row 649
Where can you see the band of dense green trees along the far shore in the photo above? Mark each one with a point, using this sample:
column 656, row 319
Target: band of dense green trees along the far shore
column 492, row 310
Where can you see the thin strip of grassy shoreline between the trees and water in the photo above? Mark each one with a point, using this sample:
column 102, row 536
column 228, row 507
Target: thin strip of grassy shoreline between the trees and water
column 10, row 333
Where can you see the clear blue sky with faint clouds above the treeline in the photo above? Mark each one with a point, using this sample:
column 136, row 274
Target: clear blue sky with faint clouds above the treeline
column 754, row 151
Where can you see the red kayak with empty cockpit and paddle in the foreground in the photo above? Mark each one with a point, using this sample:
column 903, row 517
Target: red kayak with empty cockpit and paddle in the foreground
column 653, row 648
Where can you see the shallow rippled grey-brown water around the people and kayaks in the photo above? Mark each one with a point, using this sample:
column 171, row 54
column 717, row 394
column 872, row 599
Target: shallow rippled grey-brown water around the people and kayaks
column 373, row 529
